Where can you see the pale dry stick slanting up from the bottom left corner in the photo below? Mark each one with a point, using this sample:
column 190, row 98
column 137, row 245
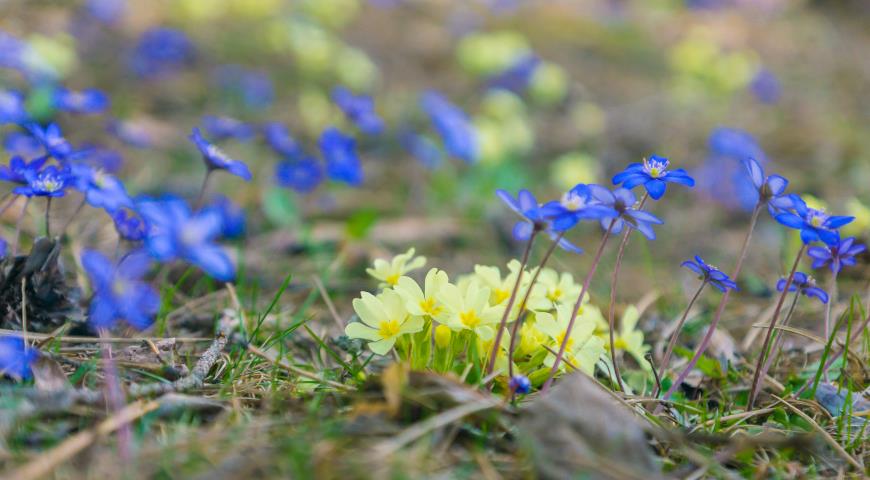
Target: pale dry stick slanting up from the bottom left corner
column 47, row 462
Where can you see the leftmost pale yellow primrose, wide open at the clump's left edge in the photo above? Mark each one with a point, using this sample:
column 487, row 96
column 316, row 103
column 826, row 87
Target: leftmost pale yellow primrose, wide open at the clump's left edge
column 384, row 319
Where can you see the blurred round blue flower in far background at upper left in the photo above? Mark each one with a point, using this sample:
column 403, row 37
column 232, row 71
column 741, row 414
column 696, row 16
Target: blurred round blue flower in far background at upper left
column 160, row 52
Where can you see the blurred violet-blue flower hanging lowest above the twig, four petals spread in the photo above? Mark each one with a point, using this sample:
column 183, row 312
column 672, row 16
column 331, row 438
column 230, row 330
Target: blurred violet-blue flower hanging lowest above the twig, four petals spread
column 119, row 292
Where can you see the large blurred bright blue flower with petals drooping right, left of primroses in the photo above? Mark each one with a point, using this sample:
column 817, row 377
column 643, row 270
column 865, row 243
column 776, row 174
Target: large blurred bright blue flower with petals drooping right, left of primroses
column 174, row 232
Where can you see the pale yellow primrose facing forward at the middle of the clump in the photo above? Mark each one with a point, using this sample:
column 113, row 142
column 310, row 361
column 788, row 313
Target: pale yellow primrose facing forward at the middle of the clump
column 469, row 309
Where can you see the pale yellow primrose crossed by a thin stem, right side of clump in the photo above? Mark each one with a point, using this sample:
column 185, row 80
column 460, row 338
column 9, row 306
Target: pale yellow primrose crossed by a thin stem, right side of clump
column 583, row 349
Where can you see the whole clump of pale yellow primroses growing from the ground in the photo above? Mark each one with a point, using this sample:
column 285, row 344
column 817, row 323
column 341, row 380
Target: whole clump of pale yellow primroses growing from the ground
column 450, row 326
